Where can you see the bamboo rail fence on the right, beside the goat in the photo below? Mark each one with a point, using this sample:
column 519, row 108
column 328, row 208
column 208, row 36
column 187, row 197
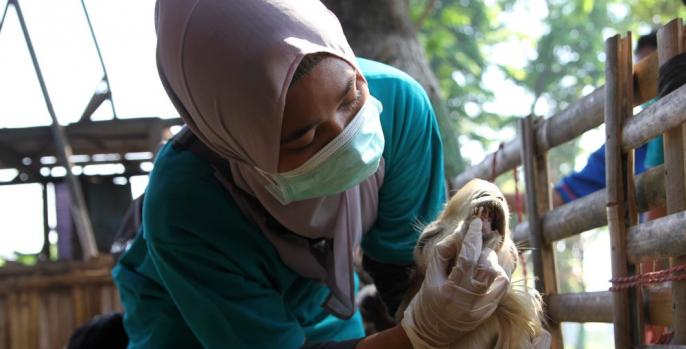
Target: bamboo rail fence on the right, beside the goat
column 617, row 206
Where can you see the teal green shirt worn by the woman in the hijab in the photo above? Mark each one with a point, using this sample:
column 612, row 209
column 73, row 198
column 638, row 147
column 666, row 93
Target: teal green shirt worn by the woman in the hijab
column 200, row 274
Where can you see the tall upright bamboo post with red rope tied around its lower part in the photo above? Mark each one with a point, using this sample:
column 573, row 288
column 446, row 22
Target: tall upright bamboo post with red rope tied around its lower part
column 618, row 93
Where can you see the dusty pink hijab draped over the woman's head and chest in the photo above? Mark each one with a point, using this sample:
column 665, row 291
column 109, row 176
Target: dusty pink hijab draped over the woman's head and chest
column 227, row 66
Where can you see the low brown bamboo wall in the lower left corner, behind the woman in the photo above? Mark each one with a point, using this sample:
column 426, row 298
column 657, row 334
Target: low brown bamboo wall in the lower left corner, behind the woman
column 42, row 305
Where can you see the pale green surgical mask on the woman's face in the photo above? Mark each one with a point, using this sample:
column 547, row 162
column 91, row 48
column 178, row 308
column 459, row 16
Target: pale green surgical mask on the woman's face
column 347, row 160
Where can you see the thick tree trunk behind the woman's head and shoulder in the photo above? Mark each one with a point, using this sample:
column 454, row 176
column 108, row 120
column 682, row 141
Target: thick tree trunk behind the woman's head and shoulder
column 383, row 31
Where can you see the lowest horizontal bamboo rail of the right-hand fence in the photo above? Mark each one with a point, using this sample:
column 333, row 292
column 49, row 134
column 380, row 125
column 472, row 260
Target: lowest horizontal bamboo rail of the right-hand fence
column 597, row 306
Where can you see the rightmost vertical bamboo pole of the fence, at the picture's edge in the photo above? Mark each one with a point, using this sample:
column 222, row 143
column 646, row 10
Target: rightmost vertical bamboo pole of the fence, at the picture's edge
column 670, row 44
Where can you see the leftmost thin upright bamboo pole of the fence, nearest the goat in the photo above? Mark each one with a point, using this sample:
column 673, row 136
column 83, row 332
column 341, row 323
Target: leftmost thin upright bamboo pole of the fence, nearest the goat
column 539, row 201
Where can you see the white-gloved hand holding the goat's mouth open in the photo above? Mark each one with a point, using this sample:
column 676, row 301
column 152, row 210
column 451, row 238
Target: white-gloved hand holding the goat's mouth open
column 455, row 299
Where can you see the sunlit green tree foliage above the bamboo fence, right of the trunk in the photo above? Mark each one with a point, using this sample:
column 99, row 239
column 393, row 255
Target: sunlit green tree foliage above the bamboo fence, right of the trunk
column 566, row 60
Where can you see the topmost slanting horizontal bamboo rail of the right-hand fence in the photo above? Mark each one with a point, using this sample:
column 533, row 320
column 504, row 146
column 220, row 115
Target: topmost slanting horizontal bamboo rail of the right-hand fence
column 581, row 116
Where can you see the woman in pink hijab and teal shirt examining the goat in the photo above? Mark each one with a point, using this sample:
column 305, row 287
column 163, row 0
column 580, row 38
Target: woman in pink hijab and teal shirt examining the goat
column 295, row 153
